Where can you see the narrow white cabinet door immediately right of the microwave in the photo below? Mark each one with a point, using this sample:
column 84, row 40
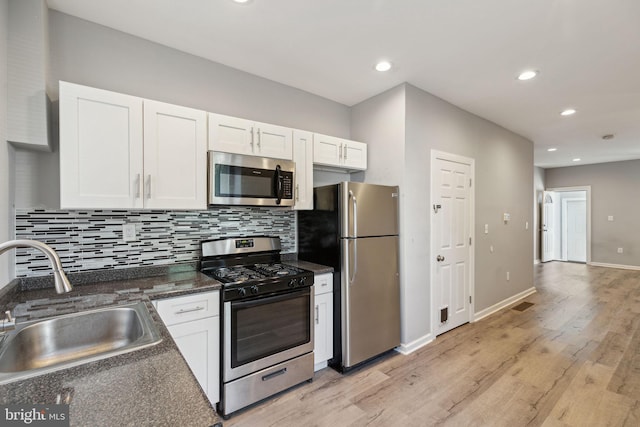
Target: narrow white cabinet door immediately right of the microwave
column 303, row 157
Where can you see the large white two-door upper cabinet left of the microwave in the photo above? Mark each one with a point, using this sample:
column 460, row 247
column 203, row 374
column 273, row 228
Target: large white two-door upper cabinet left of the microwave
column 119, row 151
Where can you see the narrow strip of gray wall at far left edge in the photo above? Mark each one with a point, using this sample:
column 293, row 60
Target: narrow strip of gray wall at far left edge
column 5, row 202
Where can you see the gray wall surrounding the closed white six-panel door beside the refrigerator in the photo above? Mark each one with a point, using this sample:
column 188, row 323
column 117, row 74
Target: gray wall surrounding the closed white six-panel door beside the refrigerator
column 504, row 179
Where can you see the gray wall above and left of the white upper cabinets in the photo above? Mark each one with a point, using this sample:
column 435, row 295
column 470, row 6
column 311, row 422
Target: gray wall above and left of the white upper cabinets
column 93, row 55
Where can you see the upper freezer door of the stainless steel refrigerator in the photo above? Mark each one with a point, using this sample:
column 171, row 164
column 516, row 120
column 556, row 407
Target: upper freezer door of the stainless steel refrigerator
column 368, row 210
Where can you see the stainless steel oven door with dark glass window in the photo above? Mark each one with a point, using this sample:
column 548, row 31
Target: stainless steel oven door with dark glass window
column 262, row 332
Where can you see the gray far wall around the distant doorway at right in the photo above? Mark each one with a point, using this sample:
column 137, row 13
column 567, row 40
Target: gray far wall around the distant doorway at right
column 615, row 191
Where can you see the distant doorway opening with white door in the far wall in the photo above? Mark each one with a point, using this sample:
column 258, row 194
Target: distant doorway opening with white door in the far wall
column 566, row 224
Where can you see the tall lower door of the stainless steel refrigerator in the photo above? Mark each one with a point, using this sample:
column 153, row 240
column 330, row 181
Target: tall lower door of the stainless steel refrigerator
column 370, row 291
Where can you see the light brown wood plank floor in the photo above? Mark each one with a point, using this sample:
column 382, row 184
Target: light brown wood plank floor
column 571, row 359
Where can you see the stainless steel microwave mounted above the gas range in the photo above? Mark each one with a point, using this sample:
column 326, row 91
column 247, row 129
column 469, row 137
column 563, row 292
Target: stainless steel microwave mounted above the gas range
column 237, row 179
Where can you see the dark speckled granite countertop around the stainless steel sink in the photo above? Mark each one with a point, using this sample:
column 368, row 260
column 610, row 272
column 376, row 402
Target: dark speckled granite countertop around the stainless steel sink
column 152, row 386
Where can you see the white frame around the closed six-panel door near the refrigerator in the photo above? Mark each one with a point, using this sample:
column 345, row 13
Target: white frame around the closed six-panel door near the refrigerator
column 441, row 155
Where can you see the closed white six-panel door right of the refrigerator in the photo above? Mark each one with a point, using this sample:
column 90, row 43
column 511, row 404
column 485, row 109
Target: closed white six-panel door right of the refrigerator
column 451, row 243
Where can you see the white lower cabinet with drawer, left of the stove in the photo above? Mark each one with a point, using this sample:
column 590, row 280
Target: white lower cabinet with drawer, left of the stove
column 194, row 324
